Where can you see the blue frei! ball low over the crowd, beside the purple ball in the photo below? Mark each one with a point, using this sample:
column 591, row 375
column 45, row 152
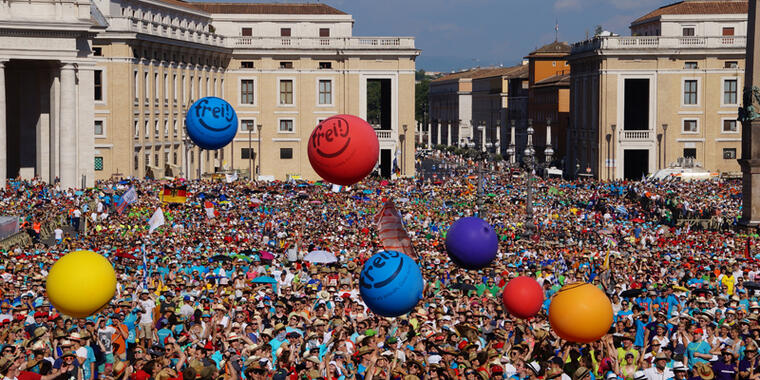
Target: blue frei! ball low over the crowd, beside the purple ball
column 390, row 283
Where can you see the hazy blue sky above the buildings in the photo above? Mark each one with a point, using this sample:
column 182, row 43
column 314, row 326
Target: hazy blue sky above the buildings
column 456, row 34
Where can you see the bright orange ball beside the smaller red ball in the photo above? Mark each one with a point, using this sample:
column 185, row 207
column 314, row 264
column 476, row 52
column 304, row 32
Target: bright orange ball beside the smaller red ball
column 580, row 313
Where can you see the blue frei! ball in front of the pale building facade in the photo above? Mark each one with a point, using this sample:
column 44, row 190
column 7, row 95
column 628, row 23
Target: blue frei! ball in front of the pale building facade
column 211, row 123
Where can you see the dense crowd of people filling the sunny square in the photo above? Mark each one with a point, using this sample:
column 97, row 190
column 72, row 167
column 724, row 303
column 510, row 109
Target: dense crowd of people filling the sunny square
column 228, row 294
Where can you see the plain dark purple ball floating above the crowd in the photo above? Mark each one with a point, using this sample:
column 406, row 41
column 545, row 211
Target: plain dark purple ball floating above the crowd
column 472, row 243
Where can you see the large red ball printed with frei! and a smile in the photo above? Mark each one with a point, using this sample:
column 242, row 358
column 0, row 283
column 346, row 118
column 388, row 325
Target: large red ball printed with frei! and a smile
column 343, row 149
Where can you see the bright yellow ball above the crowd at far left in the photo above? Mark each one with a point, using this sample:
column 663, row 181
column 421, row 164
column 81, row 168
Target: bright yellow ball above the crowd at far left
column 81, row 283
